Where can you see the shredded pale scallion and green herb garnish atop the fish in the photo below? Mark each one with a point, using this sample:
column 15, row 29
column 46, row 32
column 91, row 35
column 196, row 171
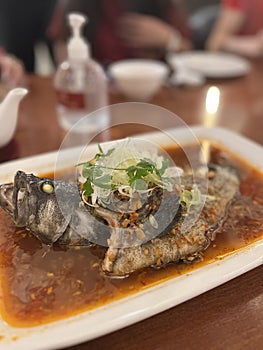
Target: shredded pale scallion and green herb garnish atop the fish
column 132, row 175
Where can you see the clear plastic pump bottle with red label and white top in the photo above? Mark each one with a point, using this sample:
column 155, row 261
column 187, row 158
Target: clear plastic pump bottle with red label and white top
column 81, row 85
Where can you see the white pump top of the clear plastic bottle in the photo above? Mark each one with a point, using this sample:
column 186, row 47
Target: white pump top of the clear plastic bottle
column 78, row 48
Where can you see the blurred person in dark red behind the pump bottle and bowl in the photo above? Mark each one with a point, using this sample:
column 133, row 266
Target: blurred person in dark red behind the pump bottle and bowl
column 119, row 29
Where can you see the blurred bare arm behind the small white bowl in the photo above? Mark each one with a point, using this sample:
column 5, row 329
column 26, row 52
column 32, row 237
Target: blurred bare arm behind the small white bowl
column 141, row 31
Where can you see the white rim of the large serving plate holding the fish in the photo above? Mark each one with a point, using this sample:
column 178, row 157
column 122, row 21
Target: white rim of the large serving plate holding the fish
column 115, row 315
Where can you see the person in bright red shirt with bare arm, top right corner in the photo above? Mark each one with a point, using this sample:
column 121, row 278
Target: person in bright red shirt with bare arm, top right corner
column 239, row 28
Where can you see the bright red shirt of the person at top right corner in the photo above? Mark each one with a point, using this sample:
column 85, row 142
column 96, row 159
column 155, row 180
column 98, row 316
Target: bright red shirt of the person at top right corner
column 253, row 11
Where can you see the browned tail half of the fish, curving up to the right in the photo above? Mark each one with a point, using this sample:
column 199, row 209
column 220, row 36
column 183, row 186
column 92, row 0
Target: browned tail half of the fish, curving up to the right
column 179, row 244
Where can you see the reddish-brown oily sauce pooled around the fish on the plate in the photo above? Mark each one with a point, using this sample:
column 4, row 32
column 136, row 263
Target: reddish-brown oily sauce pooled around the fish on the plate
column 40, row 284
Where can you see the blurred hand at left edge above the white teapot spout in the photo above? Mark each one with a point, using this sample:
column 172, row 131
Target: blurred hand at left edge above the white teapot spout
column 12, row 70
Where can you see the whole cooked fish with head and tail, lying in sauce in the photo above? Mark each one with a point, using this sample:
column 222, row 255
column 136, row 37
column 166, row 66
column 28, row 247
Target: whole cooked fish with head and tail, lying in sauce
column 152, row 233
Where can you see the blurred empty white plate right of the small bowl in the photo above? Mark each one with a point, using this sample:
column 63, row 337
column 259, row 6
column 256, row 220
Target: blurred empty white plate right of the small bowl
column 211, row 64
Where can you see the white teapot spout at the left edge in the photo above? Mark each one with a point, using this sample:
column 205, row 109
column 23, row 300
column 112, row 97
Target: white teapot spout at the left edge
column 9, row 113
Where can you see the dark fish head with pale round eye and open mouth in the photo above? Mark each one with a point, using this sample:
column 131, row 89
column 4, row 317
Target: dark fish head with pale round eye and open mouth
column 35, row 203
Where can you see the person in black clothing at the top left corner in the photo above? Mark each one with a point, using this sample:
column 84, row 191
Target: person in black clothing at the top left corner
column 22, row 25
